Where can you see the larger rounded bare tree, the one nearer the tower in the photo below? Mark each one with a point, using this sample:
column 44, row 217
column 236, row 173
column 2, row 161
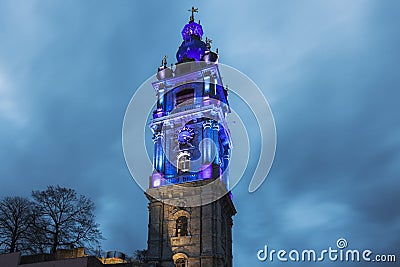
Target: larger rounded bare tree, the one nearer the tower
column 63, row 219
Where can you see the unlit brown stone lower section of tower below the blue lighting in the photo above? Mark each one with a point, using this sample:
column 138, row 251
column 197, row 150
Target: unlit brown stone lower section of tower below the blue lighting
column 189, row 236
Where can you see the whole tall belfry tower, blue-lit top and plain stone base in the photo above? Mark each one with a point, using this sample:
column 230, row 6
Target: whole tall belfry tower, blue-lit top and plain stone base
column 190, row 207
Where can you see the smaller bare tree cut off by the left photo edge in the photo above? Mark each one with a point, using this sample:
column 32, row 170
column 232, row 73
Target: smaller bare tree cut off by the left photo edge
column 15, row 222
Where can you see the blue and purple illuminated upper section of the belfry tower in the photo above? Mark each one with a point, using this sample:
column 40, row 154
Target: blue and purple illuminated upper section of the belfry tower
column 190, row 134
